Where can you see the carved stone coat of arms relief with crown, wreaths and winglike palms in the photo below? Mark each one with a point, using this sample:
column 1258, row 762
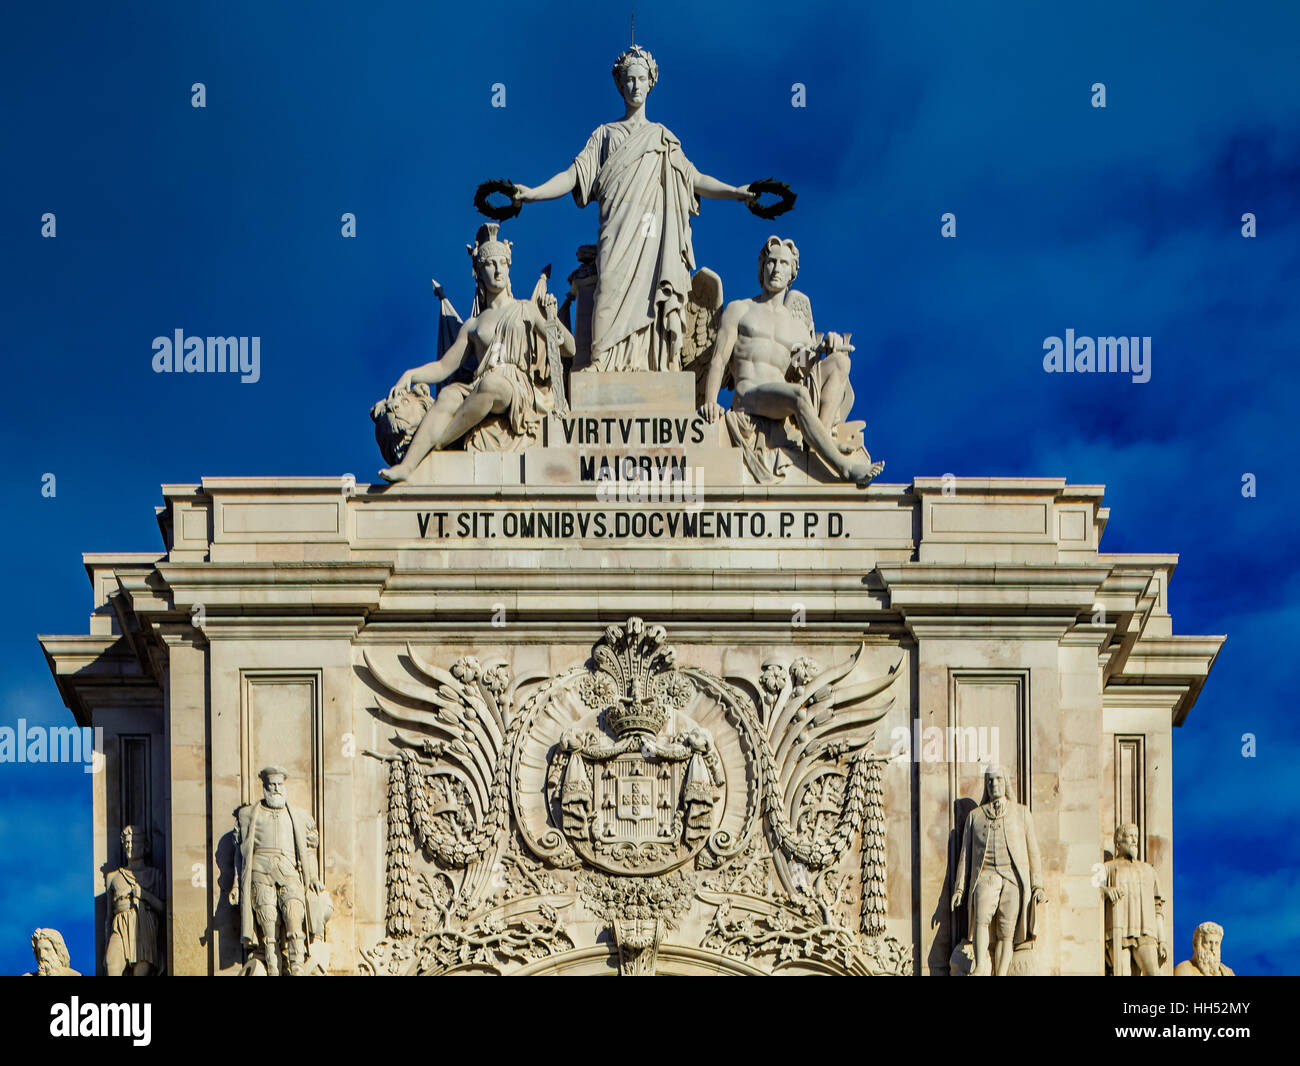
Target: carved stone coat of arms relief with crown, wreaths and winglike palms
column 634, row 814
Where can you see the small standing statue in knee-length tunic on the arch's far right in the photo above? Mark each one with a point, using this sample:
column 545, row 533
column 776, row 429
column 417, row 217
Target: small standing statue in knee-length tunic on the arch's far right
column 1136, row 911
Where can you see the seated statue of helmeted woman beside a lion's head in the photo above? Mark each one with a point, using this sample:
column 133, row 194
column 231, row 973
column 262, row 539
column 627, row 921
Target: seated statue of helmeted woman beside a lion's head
column 510, row 340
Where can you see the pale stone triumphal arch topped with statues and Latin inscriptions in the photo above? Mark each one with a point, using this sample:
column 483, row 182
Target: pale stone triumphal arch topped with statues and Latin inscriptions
column 631, row 661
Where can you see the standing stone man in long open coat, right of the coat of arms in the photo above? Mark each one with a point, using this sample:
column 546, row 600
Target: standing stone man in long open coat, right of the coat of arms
column 1003, row 876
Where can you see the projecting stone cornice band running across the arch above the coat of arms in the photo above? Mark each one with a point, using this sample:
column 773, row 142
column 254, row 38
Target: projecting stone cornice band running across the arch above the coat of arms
column 990, row 558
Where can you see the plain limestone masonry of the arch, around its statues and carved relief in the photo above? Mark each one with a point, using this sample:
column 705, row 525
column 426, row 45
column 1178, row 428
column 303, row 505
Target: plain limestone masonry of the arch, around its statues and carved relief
column 257, row 636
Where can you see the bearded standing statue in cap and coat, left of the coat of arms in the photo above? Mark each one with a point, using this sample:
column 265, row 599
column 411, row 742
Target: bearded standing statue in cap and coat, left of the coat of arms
column 275, row 869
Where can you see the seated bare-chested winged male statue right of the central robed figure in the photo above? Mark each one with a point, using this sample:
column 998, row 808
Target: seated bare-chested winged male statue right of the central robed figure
column 783, row 371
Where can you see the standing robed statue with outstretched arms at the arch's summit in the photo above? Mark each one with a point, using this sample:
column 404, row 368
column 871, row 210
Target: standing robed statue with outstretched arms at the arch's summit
column 648, row 190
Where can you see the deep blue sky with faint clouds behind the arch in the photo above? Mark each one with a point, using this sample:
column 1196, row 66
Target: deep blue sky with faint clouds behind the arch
column 1124, row 220
